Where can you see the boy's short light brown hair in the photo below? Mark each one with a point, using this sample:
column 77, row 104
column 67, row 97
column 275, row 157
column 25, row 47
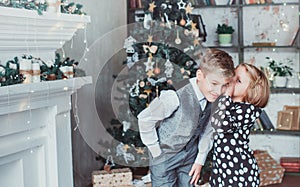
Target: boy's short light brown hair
column 217, row 61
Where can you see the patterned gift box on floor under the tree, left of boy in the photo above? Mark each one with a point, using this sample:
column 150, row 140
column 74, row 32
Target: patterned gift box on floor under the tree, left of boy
column 114, row 178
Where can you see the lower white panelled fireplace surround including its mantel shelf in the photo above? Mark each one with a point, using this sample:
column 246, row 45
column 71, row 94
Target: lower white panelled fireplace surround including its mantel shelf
column 35, row 133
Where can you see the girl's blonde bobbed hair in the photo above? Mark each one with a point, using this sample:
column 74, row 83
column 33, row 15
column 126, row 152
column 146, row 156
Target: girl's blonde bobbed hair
column 258, row 91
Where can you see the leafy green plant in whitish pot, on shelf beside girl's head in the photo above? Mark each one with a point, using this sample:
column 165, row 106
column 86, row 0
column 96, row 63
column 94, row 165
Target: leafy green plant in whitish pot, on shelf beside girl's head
column 281, row 71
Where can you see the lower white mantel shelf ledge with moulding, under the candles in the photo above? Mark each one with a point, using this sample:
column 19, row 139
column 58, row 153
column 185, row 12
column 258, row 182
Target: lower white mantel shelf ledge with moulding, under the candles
column 12, row 96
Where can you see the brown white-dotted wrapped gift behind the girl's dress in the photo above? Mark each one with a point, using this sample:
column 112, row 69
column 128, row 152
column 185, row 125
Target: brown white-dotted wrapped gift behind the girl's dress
column 271, row 172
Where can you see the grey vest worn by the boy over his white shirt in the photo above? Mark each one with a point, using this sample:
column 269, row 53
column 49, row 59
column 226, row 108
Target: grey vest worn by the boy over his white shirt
column 184, row 125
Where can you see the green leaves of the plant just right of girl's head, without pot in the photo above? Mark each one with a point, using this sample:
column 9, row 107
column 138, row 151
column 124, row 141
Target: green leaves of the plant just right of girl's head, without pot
column 279, row 68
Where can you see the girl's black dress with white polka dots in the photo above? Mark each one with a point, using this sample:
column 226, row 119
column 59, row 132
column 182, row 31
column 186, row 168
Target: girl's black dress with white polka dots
column 234, row 164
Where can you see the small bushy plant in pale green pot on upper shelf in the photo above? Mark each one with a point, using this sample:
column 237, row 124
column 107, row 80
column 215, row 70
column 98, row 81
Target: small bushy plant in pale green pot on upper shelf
column 224, row 32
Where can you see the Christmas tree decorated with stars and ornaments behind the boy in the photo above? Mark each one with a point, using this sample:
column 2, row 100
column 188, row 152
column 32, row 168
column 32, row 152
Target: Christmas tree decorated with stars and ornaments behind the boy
column 162, row 51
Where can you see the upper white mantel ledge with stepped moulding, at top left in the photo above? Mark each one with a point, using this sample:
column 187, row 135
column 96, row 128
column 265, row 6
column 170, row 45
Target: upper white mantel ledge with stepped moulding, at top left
column 23, row 30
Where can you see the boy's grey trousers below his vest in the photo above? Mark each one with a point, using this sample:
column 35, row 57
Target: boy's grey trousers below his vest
column 174, row 172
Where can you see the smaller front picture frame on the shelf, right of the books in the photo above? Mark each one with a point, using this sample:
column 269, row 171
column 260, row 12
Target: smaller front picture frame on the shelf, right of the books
column 284, row 120
